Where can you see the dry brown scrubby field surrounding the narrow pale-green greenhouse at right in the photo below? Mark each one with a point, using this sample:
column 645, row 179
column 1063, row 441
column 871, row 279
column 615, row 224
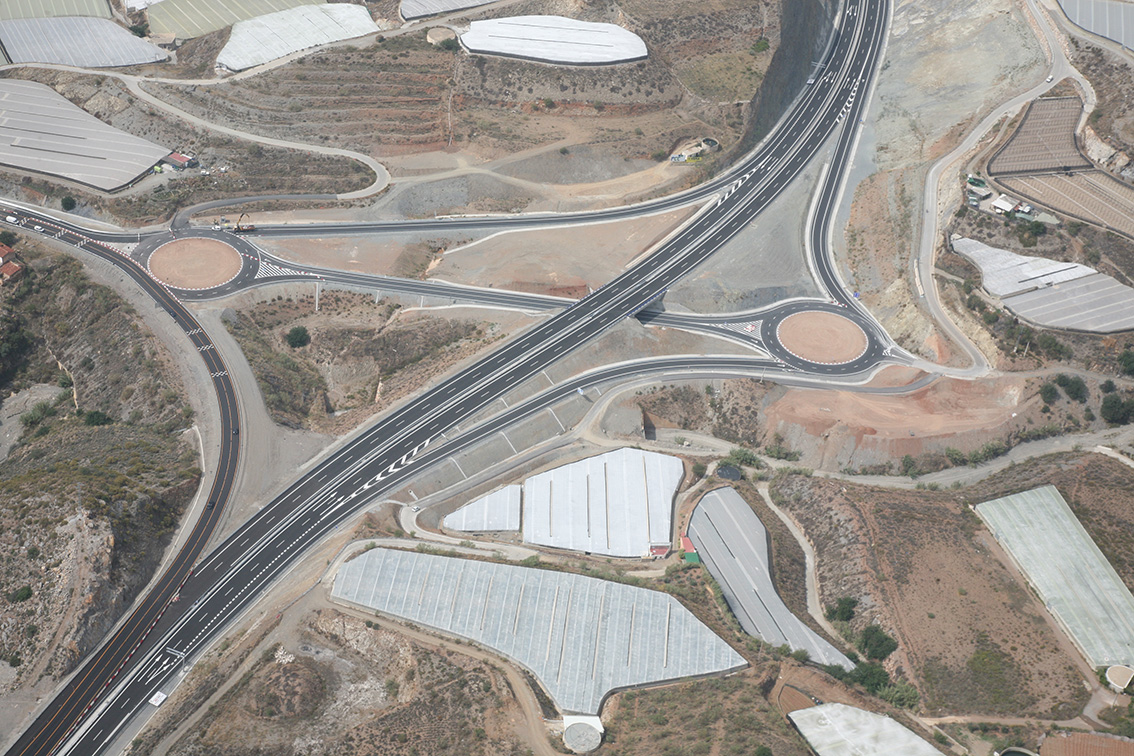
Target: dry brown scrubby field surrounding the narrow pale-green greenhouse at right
column 972, row 638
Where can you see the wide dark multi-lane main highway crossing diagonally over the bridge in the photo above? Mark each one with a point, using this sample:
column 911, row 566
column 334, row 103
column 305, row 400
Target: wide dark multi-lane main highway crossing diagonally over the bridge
column 383, row 458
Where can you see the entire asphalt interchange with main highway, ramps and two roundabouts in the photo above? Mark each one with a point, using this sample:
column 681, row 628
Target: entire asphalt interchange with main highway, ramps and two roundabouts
column 216, row 588
